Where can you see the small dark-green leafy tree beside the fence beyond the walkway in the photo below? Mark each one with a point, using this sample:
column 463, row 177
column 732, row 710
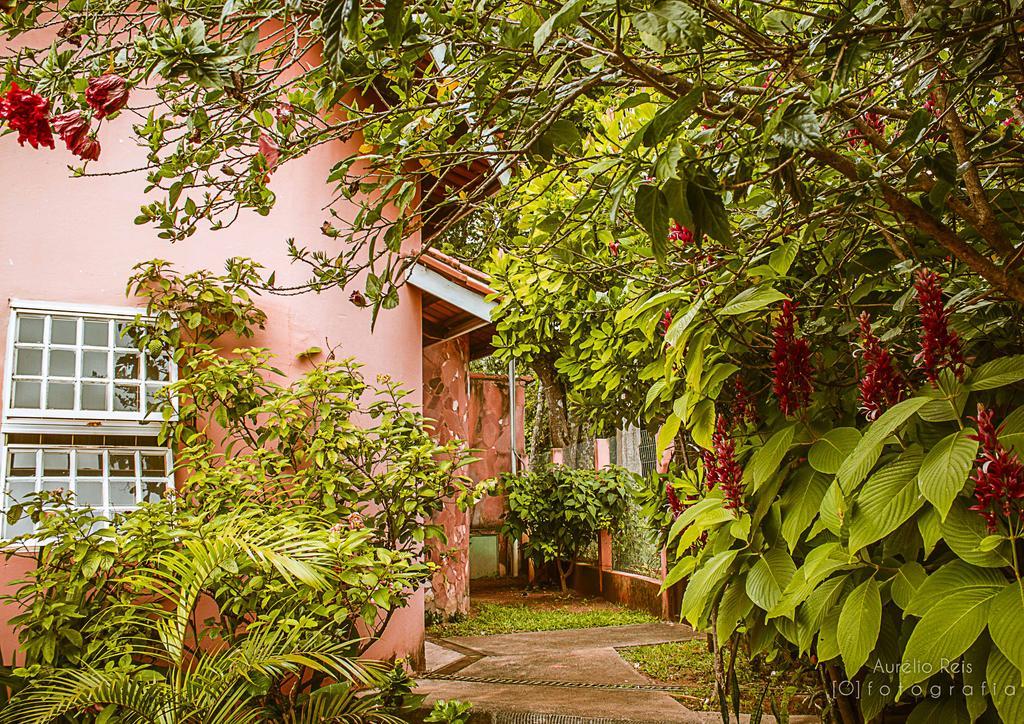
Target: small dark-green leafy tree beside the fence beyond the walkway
column 561, row 512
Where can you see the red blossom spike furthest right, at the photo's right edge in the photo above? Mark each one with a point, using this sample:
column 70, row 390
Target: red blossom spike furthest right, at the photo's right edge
column 999, row 480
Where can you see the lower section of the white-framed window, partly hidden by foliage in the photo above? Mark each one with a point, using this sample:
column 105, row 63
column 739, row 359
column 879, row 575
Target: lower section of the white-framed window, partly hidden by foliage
column 109, row 474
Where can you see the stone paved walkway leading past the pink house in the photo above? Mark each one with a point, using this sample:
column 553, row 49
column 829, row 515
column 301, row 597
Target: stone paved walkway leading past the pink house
column 582, row 660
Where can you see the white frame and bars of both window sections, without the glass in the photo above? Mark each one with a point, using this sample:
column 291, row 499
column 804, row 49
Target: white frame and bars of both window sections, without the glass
column 65, row 422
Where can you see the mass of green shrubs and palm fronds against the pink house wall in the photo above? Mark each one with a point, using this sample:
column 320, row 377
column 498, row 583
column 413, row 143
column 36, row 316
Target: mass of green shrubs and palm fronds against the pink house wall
column 293, row 537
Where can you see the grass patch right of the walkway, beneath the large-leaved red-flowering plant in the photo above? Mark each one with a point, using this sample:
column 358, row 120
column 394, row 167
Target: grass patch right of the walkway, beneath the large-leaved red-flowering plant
column 691, row 666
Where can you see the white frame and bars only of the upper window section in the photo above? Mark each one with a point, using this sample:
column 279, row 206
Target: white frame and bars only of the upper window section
column 95, row 418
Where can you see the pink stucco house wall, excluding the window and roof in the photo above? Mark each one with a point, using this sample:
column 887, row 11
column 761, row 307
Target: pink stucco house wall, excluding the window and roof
column 74, row 241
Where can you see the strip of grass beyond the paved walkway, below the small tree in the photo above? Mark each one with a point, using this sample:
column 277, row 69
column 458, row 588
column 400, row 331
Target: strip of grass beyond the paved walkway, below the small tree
column 489, row 619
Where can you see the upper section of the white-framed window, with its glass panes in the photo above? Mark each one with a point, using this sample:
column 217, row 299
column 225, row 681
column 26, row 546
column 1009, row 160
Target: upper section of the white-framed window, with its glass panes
column 77, row 364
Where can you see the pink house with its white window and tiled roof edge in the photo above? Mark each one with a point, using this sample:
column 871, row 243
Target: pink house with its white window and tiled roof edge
column 74, row 396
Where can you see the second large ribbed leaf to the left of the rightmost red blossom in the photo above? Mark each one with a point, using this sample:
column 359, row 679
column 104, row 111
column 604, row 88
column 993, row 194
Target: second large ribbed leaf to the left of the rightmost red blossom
column 888, row 499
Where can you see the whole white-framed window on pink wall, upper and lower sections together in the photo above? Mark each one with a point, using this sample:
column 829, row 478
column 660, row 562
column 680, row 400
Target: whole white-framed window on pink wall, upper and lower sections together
column 80, row 410
